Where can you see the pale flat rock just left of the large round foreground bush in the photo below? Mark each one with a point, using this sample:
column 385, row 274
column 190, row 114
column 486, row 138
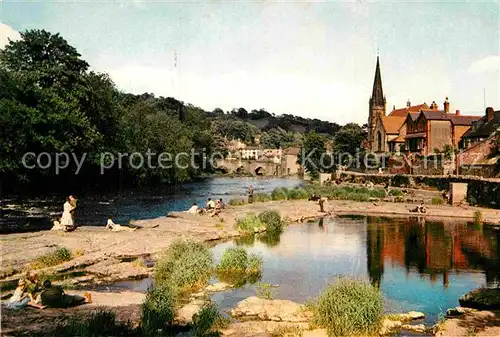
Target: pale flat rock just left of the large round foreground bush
column 271, row 310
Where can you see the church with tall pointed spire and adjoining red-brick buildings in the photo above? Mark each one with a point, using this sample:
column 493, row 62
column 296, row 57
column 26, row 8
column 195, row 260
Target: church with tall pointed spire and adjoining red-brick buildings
column 415, row 128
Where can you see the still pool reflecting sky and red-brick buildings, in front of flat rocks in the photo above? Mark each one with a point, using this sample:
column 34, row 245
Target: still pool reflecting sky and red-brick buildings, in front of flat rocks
column 418, row 265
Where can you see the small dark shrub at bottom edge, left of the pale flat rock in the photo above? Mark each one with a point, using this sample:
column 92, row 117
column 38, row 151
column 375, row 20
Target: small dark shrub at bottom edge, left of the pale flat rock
column 208, row 321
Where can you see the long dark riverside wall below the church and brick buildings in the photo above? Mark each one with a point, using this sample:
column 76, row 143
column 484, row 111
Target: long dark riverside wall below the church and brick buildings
column 480, row 191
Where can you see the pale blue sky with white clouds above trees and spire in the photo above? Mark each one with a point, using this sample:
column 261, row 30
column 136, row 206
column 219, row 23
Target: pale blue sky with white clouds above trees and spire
column 314, row 59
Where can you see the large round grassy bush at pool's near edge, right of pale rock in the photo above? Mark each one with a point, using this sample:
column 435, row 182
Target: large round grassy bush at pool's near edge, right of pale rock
column 349, row 307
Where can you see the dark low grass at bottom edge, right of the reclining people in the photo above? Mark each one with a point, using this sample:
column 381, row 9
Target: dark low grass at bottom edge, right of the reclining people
column 99, row 323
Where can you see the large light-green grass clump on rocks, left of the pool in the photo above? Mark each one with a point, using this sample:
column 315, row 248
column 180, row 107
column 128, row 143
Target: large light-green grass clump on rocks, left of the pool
column 185, row 264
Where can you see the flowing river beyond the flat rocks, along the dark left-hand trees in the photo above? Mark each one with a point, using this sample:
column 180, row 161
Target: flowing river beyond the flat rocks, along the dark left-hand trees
column 133, row 205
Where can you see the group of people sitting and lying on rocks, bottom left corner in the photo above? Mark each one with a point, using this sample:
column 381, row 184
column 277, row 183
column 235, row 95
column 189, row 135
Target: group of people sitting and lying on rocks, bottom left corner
column 31, row 292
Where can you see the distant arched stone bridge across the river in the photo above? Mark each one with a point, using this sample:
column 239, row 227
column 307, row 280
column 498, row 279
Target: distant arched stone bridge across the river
column 252, row 166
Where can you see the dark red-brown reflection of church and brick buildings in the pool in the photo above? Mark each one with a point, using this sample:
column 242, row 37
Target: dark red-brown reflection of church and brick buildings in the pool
column 432, row 249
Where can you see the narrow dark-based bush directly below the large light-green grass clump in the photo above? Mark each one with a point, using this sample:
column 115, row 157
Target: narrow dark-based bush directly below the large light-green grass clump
column 158, row 310
